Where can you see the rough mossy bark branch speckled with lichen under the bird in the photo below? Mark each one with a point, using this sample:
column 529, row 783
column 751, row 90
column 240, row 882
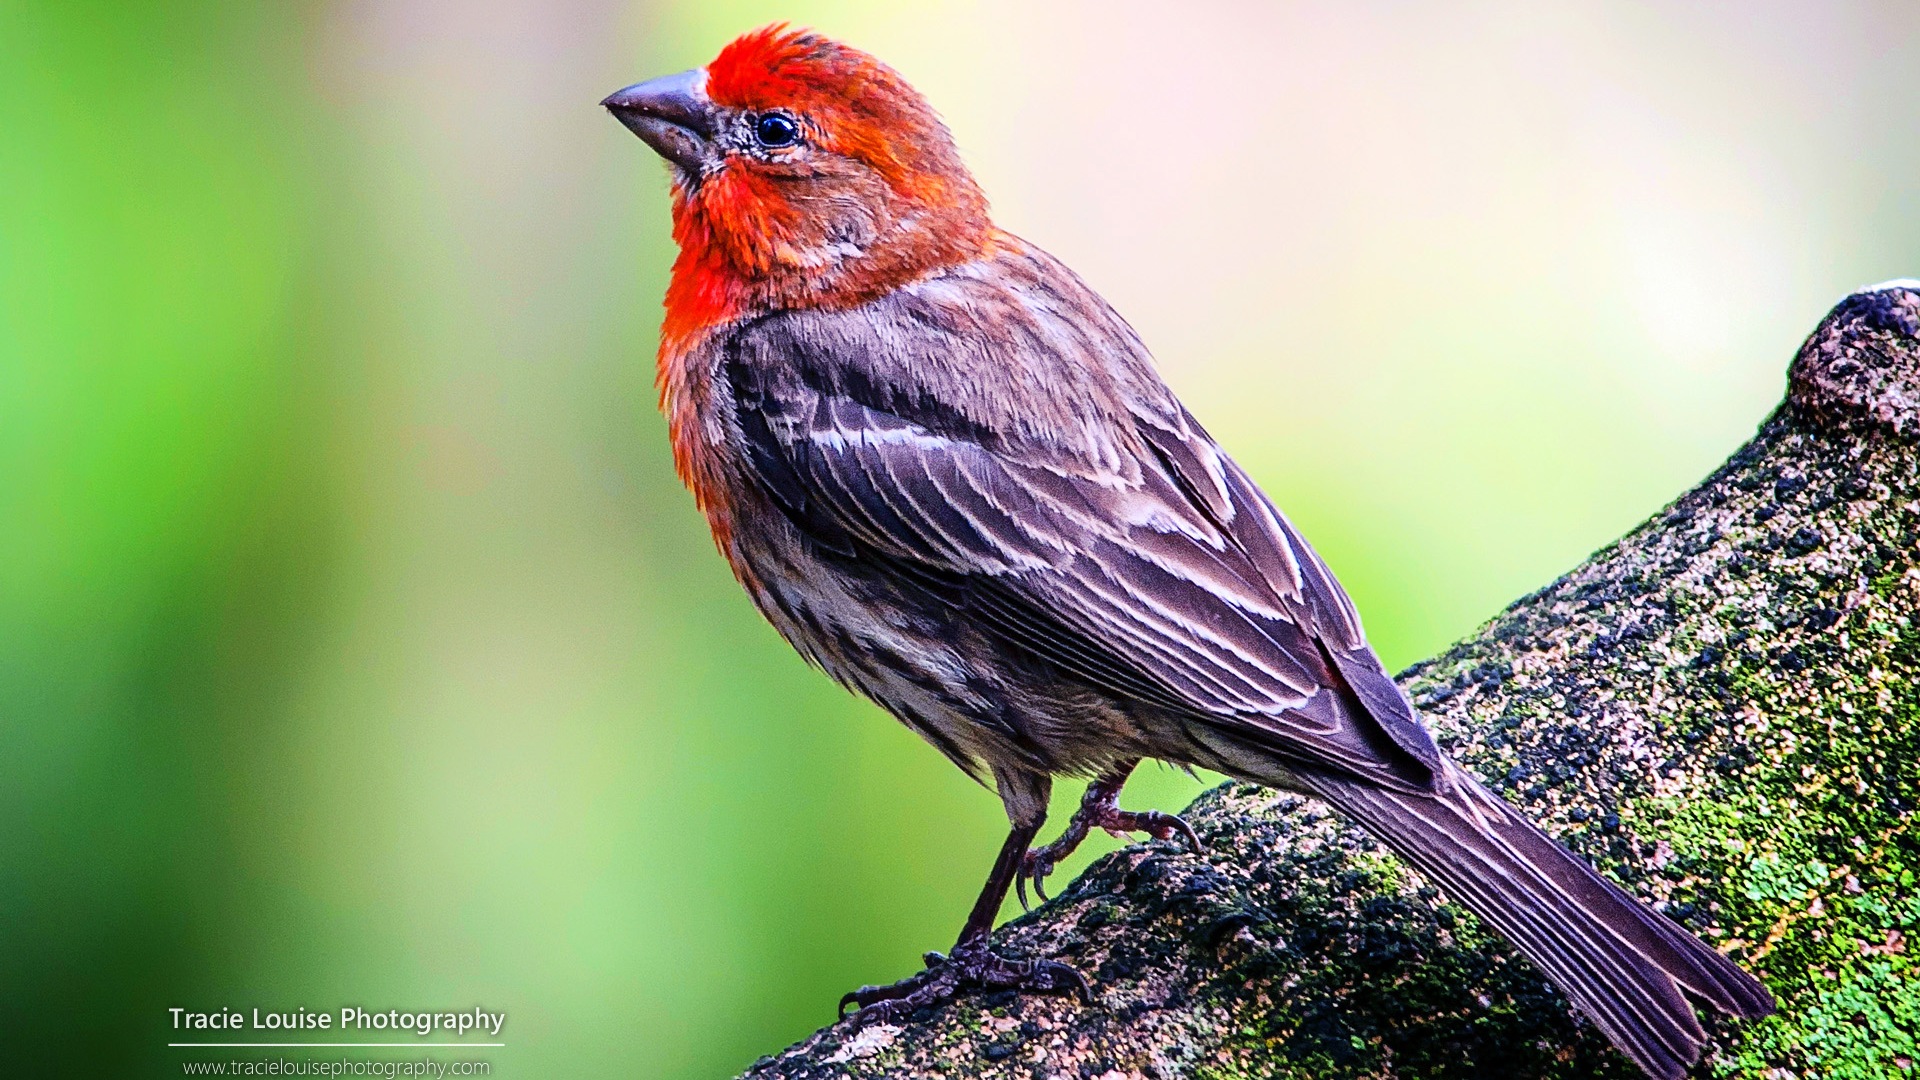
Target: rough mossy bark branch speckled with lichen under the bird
column 1719, row 710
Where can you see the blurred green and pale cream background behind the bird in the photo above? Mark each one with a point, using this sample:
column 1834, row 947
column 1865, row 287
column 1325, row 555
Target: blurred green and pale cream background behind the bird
column 360, row 647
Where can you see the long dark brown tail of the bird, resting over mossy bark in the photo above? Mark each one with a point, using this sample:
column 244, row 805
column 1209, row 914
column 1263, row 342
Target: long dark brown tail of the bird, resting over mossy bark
column 1618, row 960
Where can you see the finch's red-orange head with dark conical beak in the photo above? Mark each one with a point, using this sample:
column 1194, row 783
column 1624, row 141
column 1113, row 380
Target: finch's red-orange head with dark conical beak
column 805, row 174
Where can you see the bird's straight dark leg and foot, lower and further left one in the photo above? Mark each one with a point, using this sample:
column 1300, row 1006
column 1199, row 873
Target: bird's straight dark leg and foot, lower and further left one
column 972, row 964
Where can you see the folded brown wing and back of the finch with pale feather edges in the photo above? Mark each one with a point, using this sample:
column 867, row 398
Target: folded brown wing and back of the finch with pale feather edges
column 1080, row 514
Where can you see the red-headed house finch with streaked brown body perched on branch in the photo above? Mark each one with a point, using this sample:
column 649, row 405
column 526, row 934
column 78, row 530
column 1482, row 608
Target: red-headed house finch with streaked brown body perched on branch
column 949, row 476
